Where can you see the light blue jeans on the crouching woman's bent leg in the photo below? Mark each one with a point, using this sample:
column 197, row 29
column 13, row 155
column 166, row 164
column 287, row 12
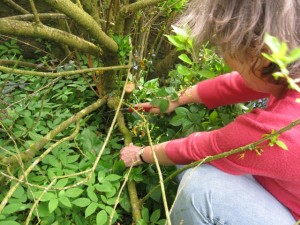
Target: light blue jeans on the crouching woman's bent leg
column 207, row 195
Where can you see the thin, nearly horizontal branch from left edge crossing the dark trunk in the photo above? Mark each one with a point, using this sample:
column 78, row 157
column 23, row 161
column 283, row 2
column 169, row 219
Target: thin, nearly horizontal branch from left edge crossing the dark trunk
column 60, row 74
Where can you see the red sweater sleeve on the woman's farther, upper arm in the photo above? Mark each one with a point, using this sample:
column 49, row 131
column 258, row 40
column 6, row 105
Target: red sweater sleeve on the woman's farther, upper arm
column 225, row 90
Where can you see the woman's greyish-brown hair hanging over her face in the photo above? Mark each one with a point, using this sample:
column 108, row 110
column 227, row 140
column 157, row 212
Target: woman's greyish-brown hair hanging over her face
column 237, row 27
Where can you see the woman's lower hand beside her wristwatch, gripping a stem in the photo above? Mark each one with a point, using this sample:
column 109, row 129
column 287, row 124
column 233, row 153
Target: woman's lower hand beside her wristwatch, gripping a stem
column 130, row 155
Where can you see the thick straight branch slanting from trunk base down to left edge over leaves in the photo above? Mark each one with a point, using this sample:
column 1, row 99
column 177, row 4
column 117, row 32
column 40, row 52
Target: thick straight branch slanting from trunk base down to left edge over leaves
column 38, row 145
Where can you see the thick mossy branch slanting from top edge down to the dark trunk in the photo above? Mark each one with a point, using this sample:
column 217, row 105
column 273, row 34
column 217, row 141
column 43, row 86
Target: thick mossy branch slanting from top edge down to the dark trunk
column 85, row 21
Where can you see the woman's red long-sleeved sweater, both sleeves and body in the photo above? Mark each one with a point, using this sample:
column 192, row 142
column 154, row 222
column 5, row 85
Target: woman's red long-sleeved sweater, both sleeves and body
column 275, row 169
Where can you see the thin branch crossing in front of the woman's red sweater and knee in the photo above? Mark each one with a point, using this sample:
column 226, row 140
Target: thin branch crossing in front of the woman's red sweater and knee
column 251, row 147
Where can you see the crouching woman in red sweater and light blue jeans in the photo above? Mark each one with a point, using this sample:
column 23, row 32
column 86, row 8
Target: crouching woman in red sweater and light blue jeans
column 249, row 190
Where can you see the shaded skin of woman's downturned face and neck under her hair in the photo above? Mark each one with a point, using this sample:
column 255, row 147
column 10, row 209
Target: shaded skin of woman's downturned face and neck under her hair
column 252, row 77
